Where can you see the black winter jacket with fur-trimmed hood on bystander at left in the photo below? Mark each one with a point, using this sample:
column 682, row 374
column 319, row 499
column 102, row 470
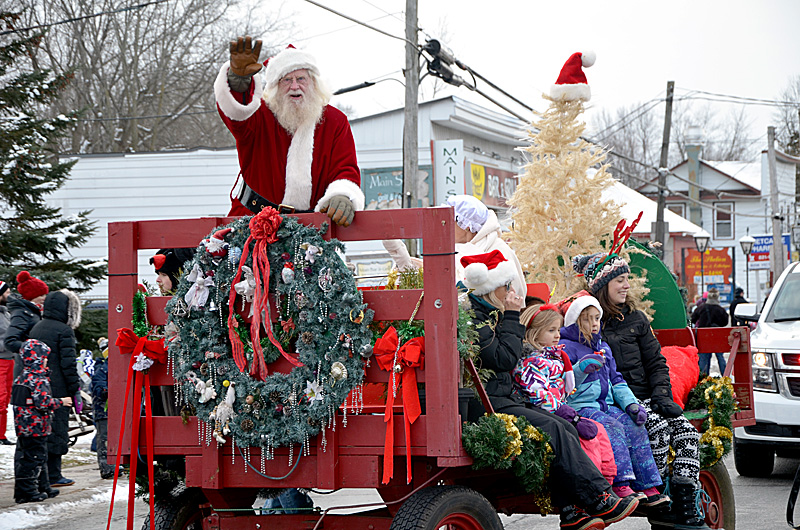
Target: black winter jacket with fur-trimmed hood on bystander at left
column 54, row 331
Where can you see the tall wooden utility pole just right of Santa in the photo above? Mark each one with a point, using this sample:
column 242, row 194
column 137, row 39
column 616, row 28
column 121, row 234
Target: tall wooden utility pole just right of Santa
column 411, row 115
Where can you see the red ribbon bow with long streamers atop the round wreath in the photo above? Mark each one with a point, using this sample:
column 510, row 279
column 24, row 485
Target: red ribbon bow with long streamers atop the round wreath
column 263, row 230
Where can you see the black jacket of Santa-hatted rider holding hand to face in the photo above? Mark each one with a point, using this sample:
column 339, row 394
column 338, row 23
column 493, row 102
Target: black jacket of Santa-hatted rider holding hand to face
column 501, row 349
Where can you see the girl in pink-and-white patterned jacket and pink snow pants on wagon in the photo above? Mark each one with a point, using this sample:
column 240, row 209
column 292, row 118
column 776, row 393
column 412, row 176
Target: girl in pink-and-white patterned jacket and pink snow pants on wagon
column 545, row 378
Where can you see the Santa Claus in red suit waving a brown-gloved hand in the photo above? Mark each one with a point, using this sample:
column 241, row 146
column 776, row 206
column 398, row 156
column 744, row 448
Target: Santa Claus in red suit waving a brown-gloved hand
column 296, row 152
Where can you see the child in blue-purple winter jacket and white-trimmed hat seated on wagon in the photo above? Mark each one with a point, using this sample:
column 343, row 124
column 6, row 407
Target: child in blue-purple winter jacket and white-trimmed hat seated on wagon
column 603, row 395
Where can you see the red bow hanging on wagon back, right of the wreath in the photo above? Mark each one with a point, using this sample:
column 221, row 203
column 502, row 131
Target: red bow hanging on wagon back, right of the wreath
column 410, row 356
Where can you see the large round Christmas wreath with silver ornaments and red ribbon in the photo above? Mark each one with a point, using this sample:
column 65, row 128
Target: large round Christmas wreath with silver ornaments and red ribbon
column 221, row 362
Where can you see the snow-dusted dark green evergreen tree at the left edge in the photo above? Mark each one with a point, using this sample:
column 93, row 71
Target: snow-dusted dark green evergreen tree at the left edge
column 33, row 235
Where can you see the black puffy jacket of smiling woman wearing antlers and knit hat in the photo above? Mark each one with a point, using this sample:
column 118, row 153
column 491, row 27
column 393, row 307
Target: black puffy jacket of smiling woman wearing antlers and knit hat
column 638, row 354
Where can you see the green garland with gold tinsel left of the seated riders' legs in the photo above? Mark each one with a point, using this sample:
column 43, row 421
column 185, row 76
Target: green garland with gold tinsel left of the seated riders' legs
column 504, row 441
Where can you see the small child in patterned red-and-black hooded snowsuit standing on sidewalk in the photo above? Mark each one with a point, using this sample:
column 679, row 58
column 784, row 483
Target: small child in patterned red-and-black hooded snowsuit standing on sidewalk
column 33, row 407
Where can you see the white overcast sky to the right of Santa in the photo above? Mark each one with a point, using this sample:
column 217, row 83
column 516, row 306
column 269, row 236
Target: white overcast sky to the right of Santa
column 732, row 47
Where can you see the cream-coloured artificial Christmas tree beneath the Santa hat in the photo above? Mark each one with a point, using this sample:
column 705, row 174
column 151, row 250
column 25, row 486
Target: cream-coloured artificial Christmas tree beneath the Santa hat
column 560, row 212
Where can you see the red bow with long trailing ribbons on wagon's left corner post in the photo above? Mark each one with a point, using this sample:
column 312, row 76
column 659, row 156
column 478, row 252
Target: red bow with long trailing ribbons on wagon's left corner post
column 130, row 343
